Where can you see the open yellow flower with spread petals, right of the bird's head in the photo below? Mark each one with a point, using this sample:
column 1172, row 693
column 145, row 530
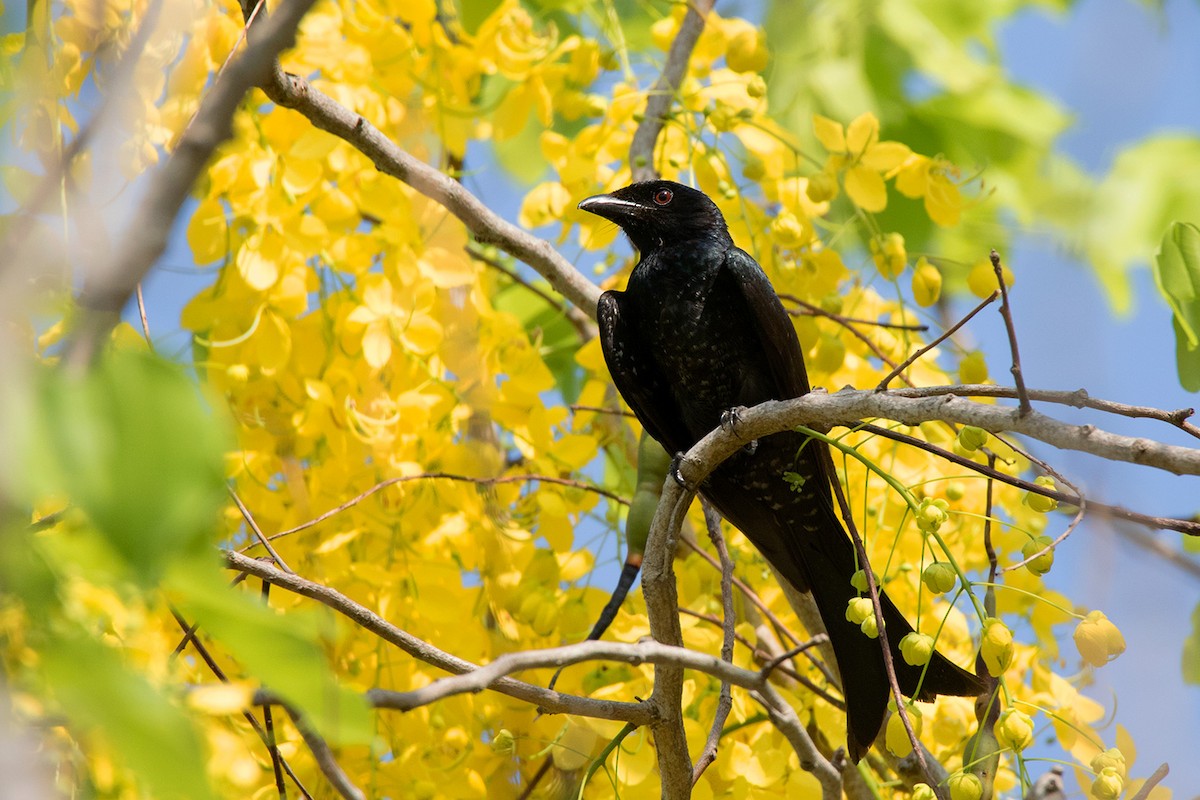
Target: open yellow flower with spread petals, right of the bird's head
column 865, row 159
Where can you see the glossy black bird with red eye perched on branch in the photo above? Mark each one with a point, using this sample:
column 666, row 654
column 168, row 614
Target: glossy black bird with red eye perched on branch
column 700, row 332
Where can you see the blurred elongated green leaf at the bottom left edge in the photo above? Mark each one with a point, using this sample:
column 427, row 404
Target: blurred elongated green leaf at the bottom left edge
column 152, row 736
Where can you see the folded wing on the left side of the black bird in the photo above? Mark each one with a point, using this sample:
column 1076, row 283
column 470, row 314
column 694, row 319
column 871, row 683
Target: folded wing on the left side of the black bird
column 639, row 380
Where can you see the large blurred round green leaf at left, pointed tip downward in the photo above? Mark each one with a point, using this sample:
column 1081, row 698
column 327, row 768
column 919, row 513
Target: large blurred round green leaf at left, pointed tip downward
column 134, row 447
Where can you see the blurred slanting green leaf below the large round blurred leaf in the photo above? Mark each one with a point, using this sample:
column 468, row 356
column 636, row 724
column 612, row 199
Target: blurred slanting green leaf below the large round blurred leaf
column 286, row 653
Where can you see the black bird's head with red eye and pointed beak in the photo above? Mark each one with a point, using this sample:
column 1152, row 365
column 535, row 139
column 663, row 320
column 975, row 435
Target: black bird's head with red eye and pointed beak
column 657, row 213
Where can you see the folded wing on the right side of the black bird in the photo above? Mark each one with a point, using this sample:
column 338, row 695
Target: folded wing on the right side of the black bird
column 771, row 324
